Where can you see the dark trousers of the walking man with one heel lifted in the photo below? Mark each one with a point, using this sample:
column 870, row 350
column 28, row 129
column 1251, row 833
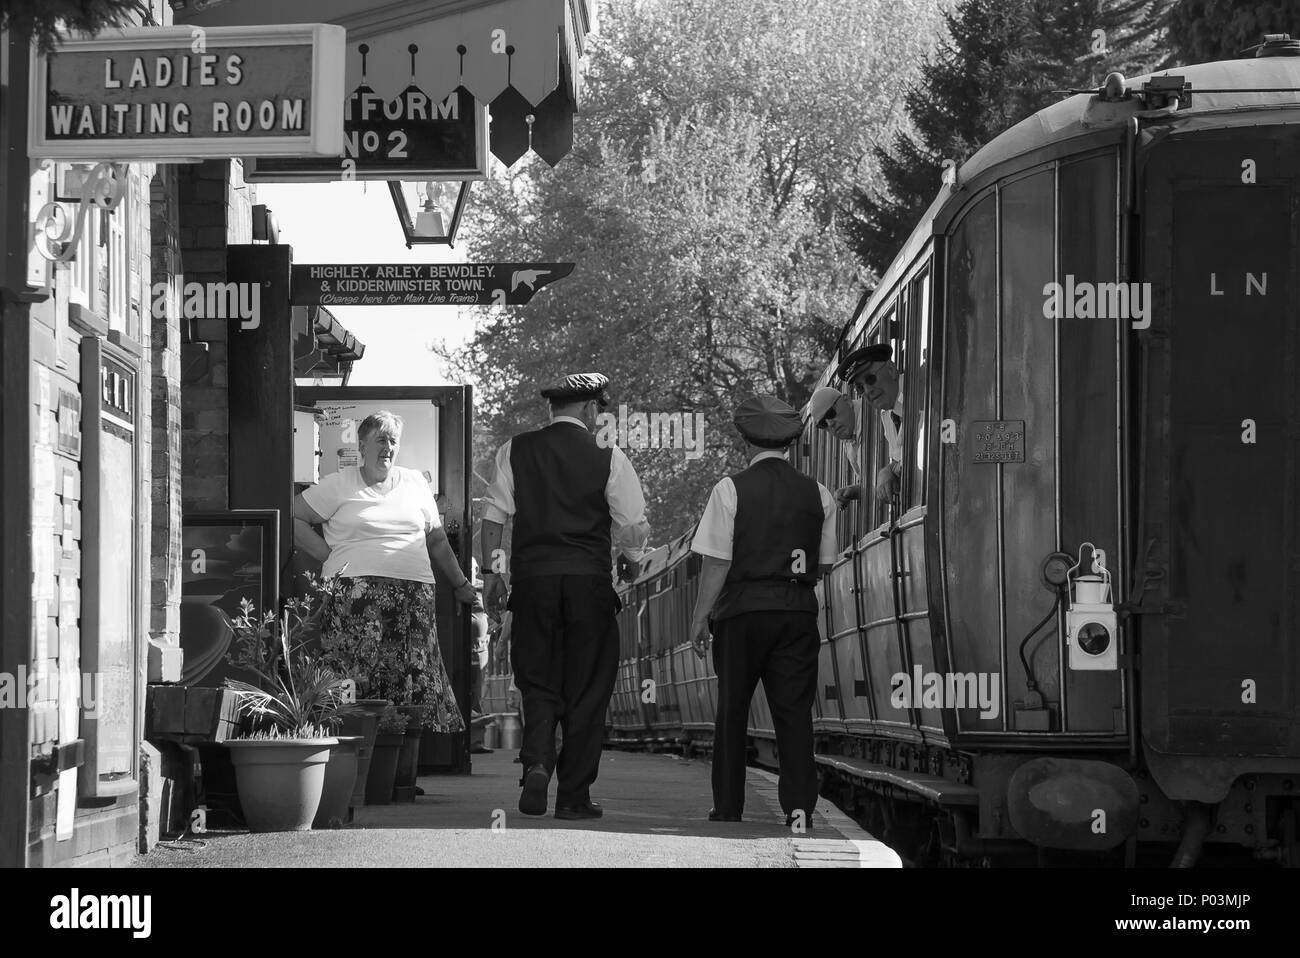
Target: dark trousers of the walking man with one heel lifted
column 565, row 651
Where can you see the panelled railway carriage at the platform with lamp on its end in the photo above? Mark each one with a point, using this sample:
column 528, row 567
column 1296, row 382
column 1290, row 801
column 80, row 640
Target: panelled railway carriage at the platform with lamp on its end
column 1074, row 631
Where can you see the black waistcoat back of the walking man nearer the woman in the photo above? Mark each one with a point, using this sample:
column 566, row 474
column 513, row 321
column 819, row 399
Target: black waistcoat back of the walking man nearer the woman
column 562, row 518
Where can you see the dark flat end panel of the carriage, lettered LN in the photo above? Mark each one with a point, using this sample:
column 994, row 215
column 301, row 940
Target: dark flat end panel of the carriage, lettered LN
column 1220, row 440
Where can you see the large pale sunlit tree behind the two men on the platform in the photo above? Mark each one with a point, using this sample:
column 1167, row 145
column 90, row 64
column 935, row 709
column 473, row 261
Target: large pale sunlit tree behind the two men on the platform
column 717, row 141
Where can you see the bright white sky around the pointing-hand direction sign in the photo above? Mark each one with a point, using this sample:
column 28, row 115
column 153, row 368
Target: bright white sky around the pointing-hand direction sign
column 357, row 223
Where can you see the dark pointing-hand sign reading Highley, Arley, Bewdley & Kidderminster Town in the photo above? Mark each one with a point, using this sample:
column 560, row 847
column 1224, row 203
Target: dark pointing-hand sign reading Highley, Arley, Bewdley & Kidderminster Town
column 424, row 284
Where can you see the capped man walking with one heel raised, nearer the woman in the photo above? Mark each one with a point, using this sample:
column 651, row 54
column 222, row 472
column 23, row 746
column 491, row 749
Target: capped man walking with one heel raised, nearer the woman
column 571, row 500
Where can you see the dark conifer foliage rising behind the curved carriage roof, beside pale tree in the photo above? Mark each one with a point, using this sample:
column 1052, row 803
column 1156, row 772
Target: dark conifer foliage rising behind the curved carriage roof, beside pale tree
column 1002, row 62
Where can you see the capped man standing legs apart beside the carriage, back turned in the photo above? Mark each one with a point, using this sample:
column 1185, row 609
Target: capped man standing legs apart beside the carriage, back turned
column 766, row 537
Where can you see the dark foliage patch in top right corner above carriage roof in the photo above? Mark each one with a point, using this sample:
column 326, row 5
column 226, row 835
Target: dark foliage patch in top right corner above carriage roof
column 1207, row 31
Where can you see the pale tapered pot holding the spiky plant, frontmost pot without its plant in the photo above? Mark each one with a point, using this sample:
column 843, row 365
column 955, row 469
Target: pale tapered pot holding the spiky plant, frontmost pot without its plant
column 280, row 782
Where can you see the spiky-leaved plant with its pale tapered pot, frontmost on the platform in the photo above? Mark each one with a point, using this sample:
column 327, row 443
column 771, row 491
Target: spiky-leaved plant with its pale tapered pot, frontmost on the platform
column 289, row 718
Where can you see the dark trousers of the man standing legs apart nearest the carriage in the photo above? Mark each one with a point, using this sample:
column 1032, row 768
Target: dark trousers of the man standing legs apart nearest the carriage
column 782, row 651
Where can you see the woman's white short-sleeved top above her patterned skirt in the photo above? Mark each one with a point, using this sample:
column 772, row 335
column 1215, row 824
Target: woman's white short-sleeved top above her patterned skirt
column 376, row 531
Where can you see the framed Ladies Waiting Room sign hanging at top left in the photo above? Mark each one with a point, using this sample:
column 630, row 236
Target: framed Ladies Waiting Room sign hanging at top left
column 190, row 93
